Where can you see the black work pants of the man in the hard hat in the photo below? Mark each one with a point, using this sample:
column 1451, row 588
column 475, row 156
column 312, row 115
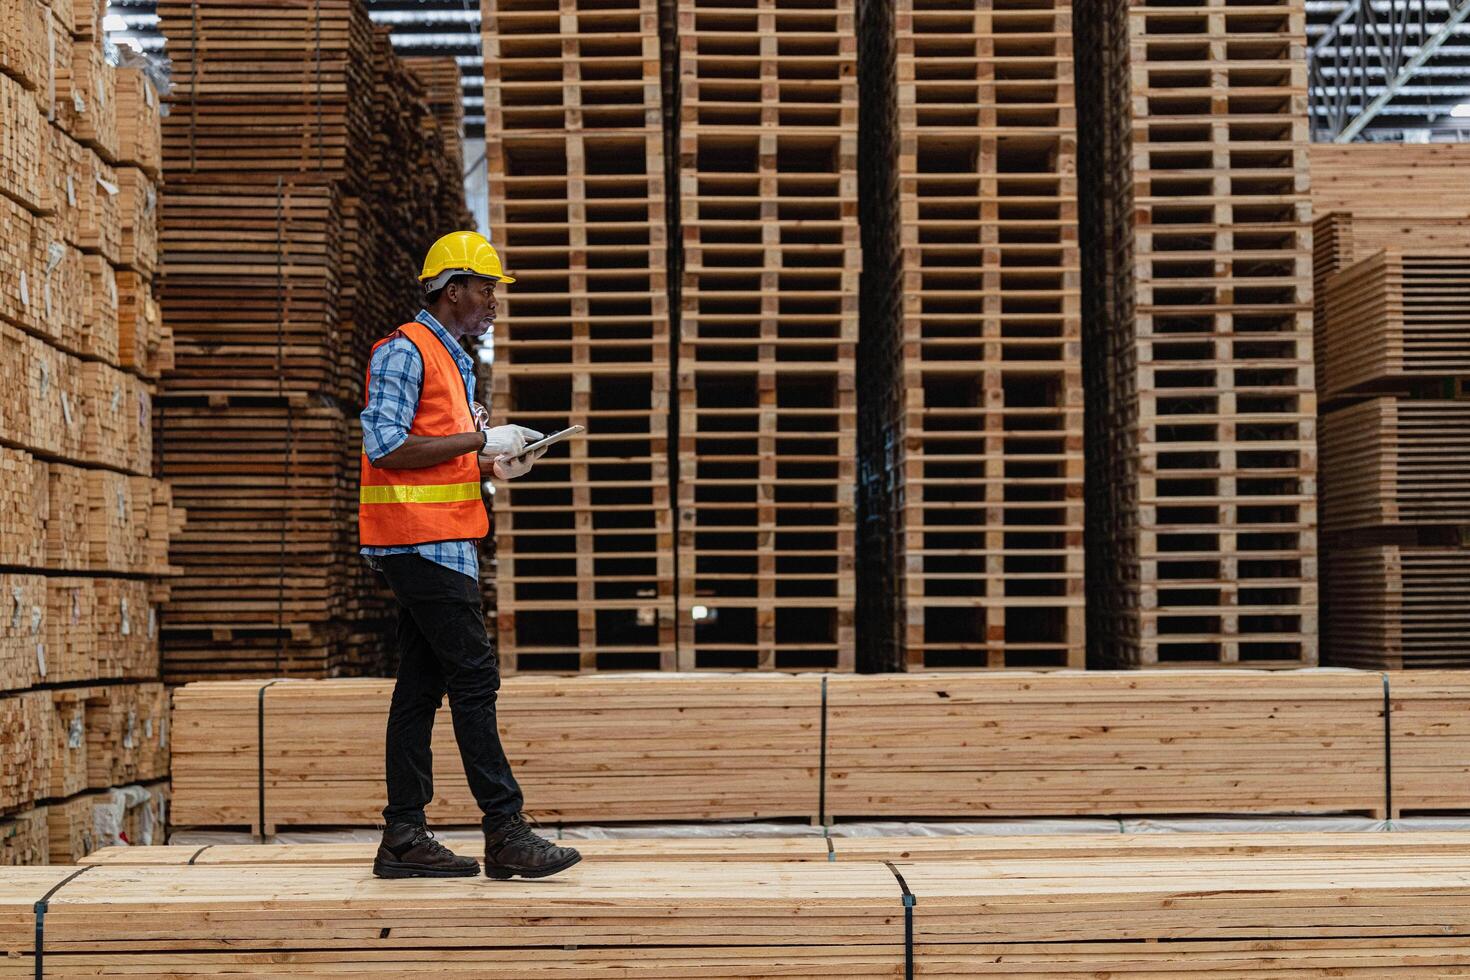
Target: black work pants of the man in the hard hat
column 443, row 647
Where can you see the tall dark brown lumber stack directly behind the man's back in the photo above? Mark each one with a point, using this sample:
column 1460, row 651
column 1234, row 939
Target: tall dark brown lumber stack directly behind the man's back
column 306, row 176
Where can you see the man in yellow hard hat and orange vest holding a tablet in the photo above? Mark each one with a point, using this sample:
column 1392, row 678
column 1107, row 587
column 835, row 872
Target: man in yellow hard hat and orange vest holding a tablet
column 427, row 447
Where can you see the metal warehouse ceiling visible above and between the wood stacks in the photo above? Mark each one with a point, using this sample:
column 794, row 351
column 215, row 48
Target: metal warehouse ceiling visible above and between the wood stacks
column 1381, row 70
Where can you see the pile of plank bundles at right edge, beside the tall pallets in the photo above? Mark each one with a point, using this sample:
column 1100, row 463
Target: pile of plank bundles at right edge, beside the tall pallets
column 1393, row 265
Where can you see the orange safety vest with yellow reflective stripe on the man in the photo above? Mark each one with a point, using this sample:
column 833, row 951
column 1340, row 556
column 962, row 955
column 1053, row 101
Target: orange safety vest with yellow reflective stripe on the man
column 434, row 503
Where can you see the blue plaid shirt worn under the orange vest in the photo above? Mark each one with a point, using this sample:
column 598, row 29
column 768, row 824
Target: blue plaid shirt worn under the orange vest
column 393, row 400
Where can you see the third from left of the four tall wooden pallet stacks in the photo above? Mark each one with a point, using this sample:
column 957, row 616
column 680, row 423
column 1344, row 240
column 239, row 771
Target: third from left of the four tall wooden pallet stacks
column 972, row 421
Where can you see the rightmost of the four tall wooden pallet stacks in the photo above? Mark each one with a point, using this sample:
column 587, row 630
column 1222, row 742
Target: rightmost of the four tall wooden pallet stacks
column 1202, row 414
